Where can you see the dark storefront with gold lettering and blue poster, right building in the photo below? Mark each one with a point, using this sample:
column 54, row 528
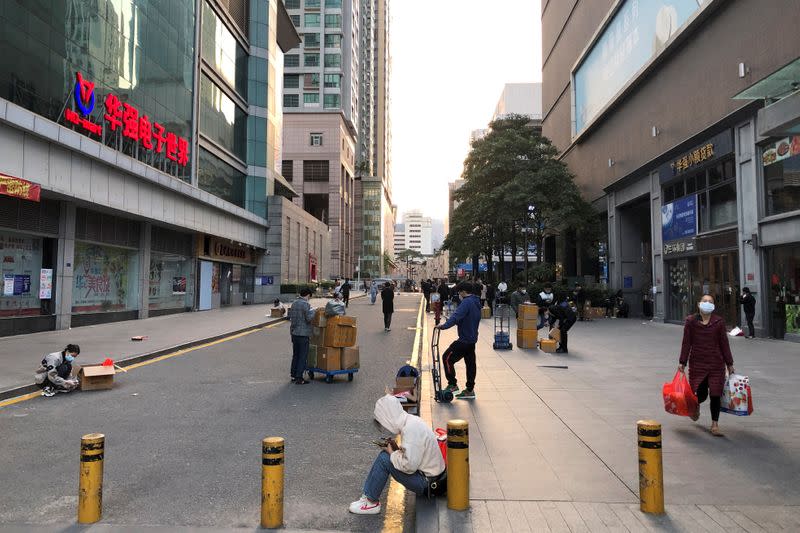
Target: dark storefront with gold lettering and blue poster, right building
column 699, row 229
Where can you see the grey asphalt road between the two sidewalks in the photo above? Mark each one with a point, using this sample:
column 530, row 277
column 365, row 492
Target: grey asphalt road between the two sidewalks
column 183, row 435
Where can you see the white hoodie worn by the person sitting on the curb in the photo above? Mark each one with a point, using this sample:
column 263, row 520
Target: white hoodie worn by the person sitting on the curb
column 418, row 447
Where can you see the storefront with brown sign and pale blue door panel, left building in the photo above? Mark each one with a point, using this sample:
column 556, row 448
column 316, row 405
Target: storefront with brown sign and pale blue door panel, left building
column 226, row 273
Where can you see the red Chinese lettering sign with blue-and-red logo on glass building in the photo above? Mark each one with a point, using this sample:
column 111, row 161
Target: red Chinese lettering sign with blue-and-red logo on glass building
column 133, row 124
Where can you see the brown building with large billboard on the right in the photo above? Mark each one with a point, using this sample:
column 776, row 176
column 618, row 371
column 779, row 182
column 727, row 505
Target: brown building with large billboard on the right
column 680, row 122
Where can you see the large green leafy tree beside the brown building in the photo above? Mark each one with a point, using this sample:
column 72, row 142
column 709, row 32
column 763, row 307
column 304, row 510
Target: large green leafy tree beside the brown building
column 515, row 192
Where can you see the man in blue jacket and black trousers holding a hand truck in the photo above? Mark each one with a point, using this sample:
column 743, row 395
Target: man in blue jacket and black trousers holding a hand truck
column 467, row 317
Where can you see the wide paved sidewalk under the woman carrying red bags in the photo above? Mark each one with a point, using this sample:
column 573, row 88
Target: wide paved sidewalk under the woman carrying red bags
column 555, row 449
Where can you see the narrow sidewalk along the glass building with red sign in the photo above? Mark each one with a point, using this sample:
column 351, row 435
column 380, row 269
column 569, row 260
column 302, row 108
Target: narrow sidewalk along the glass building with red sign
column 20, row 354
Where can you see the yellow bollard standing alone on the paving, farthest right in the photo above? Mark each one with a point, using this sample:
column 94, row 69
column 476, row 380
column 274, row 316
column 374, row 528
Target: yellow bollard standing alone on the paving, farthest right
column 651, row 471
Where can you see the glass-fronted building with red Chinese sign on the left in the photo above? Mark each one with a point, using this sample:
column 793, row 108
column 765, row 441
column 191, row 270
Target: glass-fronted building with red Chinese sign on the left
column 139, row 152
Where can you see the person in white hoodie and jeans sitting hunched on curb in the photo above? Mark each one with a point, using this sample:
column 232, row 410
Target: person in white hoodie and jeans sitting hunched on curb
column 414, row 463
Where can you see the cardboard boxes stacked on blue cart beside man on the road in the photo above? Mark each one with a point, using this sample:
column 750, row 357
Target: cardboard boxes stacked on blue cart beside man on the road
column 333, row 343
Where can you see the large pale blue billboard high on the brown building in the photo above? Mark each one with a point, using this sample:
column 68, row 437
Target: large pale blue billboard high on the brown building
column 637, row 32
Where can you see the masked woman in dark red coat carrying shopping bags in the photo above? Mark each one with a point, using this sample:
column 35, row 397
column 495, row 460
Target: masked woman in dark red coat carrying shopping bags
column 705, row 347
